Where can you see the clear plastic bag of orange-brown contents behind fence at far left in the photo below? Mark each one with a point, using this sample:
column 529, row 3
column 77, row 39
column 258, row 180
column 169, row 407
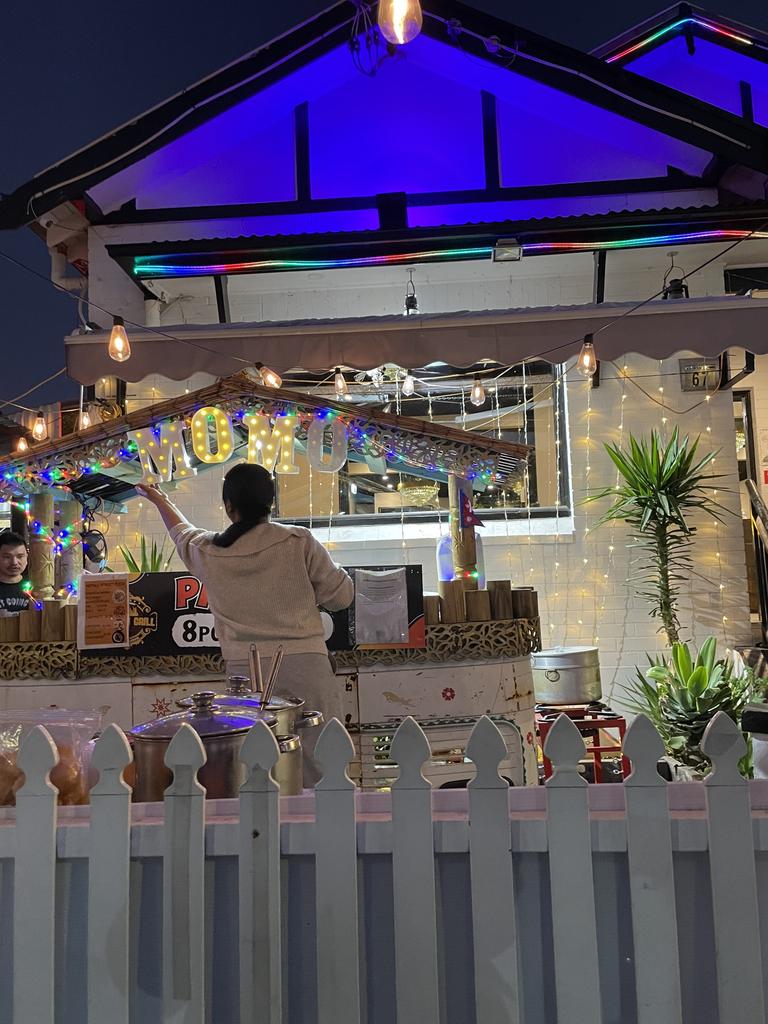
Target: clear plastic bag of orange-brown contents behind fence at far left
column 72, row 732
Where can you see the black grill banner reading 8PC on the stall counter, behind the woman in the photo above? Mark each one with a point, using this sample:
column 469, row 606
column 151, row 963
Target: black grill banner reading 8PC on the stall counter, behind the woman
column 170, row 616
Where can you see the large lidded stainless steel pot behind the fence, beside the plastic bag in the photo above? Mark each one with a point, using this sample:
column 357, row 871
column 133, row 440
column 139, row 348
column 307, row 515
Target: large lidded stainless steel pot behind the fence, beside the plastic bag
column 222, row 731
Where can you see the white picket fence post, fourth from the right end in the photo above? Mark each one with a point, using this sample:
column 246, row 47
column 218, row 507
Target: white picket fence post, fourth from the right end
column 494, row 912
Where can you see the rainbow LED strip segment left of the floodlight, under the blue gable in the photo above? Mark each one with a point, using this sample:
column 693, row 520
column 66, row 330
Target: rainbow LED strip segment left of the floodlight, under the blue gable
column 144, row 268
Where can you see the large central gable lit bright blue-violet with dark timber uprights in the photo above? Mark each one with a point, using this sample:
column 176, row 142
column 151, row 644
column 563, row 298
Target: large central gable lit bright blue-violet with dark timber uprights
column 416, row 127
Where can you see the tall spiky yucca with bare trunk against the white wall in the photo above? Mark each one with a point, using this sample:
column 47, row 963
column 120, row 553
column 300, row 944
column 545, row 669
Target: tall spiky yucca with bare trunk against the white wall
column 662, row 485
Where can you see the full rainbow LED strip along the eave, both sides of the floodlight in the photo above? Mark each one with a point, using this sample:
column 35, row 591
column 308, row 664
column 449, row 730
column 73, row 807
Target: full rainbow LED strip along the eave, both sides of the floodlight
column 144, row 268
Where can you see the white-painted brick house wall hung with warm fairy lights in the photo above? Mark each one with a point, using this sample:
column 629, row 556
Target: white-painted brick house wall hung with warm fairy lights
column 580, row 572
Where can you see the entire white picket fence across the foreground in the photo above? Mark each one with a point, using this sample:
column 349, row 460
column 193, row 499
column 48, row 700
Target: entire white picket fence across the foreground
column 571, row 905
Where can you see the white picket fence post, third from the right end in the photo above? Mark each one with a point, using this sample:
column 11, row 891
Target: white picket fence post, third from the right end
column 572, row 880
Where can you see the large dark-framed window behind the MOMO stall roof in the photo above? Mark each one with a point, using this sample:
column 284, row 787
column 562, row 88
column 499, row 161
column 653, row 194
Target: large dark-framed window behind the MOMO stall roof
column 522, row 410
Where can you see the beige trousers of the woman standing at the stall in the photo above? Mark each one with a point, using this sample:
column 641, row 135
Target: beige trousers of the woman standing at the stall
column 311, row 678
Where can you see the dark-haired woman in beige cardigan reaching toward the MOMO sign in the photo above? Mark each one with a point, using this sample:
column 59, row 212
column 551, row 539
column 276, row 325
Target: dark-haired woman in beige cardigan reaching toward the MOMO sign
column 266, row 585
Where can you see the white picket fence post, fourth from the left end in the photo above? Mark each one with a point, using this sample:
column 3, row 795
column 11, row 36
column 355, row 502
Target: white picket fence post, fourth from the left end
column 260, row 893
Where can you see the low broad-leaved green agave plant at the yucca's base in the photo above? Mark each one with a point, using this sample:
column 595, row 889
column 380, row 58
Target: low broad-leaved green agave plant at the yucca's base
column 681, row 696
